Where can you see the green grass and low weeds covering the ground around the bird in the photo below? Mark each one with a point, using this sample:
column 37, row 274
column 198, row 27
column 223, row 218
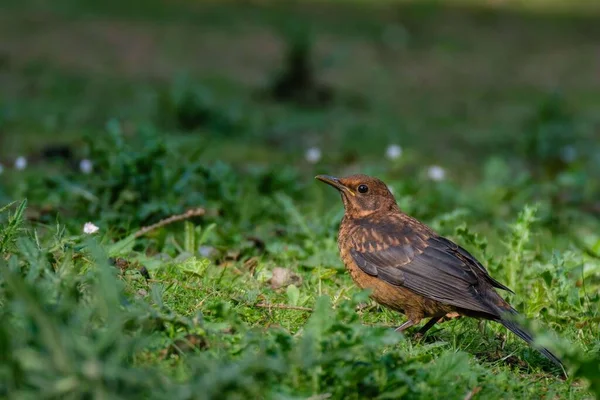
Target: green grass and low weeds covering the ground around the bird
column 248, row 299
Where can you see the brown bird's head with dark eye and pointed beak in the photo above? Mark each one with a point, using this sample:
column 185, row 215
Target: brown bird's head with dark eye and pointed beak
column 362, row 195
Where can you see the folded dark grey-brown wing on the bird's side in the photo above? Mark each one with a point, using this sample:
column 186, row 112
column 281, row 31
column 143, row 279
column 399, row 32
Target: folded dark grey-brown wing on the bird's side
column 421, row 261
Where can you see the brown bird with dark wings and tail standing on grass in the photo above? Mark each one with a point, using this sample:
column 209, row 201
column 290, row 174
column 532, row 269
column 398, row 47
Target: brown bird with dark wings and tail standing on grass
column 410, row 268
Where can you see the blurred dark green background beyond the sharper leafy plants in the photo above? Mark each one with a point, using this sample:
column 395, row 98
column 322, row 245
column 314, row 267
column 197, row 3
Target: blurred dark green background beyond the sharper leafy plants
column 454, row 83
